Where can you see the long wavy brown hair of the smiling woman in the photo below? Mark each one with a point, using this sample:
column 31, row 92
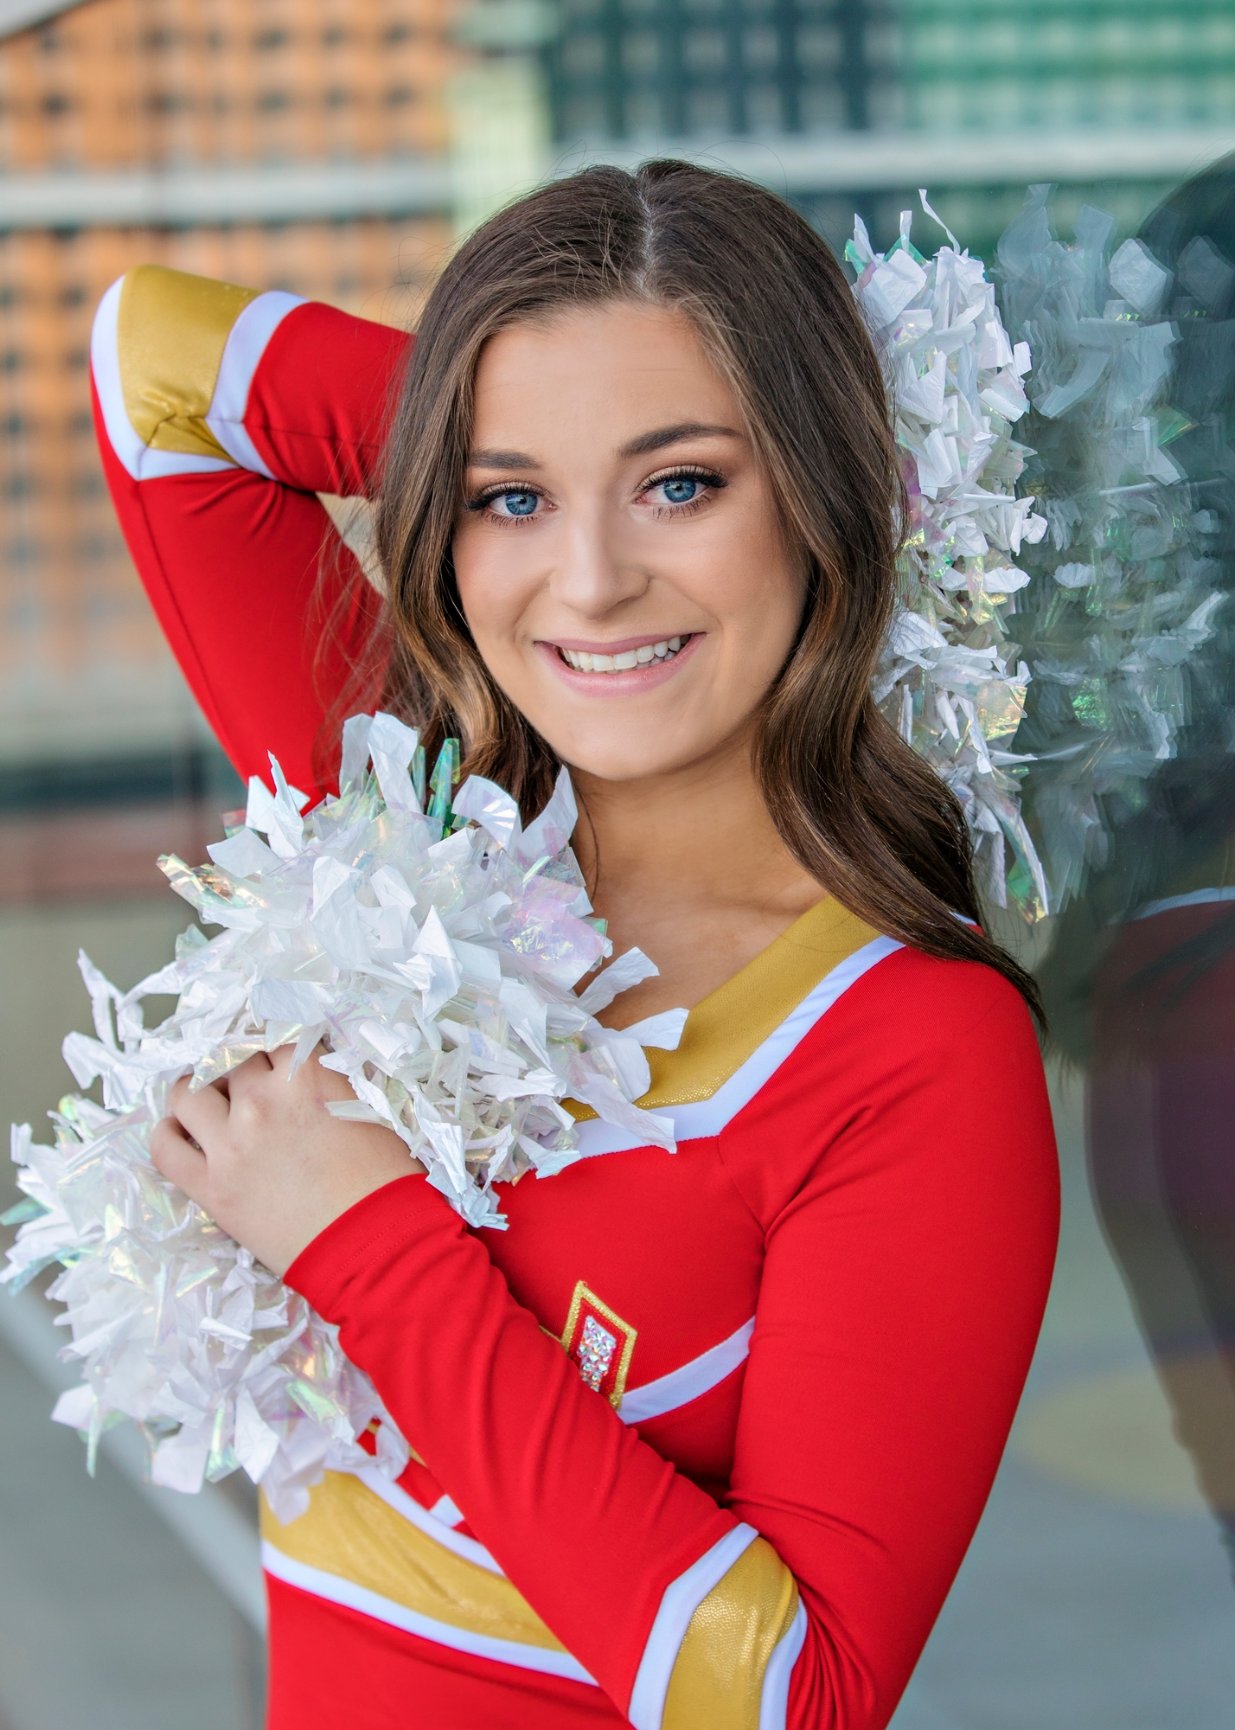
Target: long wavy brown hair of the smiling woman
column 855, row 805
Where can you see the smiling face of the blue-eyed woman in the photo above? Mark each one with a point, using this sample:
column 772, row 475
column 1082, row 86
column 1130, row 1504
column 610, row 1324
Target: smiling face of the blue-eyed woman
column 669, row 537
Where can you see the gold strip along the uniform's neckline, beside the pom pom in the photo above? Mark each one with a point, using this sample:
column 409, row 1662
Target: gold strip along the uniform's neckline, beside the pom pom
column 731, row 1023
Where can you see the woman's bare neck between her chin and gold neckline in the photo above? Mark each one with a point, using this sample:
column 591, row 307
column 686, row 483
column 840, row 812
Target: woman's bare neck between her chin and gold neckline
column 694, row 836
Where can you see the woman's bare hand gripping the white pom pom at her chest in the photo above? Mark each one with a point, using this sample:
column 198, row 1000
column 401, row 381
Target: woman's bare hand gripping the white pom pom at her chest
column 266, row 1160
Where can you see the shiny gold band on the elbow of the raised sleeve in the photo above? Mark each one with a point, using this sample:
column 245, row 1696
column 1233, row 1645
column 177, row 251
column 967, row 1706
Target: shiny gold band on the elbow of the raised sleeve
column 170, row 333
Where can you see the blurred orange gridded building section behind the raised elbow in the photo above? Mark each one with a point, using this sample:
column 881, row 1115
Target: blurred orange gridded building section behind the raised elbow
column 215, row 138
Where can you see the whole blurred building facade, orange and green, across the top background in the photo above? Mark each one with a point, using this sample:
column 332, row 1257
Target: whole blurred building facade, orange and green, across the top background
column 338, row 148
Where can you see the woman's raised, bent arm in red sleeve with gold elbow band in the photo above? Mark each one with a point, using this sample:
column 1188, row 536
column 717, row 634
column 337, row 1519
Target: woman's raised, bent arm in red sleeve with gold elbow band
column 222, row 413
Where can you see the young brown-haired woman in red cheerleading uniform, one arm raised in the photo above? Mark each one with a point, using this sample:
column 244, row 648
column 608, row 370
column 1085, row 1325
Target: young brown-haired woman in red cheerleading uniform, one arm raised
column 703, row 1438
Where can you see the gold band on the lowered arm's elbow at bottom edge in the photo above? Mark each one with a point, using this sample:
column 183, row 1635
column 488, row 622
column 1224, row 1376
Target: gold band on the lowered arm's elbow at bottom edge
column 717, row 1677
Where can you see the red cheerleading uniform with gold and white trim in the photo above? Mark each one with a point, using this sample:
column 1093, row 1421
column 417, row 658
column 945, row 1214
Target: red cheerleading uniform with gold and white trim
column 701, row 1440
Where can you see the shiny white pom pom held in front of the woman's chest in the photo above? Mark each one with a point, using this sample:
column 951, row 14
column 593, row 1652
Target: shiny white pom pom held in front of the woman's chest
column 442, row 970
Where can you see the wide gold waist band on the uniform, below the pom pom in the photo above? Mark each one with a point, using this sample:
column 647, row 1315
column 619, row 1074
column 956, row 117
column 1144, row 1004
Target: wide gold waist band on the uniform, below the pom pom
column 350, row 1532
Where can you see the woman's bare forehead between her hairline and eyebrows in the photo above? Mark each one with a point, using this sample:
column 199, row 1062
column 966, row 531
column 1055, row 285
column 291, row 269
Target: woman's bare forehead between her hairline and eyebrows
column 618, row 356
